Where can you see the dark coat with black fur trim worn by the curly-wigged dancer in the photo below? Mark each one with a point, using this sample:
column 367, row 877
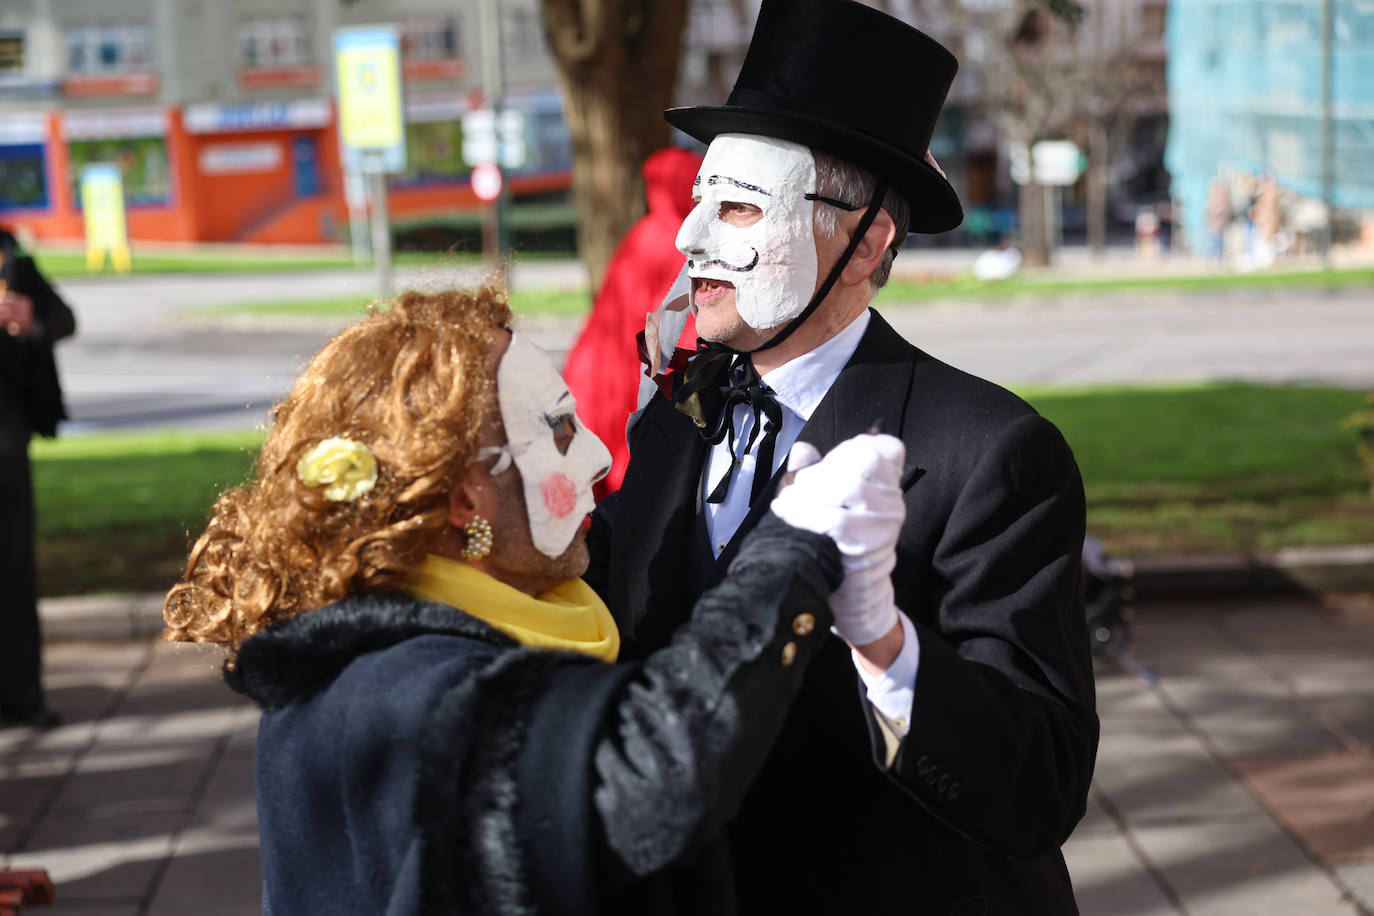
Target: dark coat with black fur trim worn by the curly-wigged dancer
column 414, row 760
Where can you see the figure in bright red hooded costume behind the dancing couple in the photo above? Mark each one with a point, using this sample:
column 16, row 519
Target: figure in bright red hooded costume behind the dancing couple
column 604, row 369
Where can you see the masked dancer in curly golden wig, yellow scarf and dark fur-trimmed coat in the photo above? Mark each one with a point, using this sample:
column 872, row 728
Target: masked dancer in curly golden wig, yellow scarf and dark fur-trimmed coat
column 444, row 726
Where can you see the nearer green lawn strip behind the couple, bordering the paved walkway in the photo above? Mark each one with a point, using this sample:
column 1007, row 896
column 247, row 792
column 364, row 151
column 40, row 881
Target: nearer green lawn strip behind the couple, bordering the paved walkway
column 1225, row 468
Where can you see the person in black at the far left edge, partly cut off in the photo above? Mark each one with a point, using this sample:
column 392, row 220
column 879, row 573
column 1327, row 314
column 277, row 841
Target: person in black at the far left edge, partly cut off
column 32, row 319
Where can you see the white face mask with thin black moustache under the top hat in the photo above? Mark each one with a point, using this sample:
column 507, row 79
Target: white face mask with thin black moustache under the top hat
column 773, row 263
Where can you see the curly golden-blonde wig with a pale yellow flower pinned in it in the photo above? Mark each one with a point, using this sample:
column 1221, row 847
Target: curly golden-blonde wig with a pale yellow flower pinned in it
column 416, row 384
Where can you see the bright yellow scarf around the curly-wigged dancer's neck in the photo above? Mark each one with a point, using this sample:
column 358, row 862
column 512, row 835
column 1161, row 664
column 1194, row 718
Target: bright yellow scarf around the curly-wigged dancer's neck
column 571, row 617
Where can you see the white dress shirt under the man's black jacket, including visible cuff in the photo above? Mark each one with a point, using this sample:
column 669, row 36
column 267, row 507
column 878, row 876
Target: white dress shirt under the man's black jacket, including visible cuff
column 799, row 387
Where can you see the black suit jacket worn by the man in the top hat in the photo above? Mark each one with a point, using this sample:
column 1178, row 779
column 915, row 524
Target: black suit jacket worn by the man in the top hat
column 994, row 775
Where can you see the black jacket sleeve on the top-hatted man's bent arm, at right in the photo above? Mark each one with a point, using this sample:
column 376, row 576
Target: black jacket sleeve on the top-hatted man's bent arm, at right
column 1004, row 727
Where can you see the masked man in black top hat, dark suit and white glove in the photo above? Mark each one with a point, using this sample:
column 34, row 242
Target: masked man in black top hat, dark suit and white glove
column 942, row 748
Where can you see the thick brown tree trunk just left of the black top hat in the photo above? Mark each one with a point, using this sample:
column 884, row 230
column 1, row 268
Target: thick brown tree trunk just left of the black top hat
column 618, row 62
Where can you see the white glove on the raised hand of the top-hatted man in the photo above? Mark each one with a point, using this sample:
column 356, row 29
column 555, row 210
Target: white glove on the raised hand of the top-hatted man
column 854, row 495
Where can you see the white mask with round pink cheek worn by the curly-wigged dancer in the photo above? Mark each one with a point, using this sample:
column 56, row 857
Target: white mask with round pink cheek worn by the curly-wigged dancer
column 559, row 485
